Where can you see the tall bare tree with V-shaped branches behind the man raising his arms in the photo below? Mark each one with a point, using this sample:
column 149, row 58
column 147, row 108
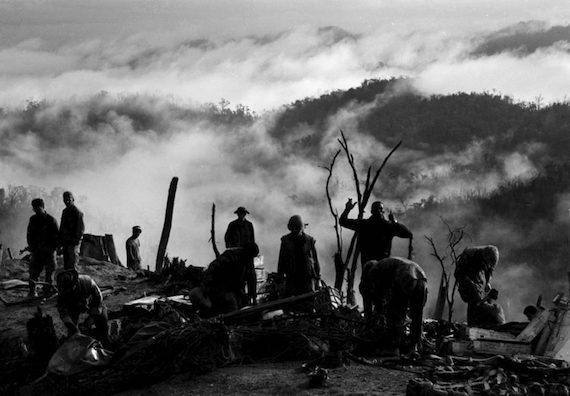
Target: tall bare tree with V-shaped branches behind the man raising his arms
column 362, row 201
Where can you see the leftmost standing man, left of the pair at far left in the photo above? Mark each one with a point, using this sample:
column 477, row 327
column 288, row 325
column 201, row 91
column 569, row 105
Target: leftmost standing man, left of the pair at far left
column 42, row 243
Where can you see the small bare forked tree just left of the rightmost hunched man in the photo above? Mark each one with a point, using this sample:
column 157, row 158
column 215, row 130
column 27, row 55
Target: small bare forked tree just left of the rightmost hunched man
column 454, row 238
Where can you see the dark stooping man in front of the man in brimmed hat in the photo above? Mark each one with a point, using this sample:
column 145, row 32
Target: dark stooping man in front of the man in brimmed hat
column 222, row 288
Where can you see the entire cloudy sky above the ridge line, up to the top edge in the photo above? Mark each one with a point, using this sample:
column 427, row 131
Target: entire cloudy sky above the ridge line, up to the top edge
column 266, row 53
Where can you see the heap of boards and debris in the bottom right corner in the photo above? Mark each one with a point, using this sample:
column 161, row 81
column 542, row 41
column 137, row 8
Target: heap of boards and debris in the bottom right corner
column 533, row 359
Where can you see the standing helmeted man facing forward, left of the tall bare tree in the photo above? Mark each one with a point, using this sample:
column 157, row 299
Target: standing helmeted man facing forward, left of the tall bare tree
column 298, row 262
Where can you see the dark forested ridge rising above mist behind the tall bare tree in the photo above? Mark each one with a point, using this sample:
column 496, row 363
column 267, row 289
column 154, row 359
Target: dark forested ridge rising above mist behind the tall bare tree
column 436, row 123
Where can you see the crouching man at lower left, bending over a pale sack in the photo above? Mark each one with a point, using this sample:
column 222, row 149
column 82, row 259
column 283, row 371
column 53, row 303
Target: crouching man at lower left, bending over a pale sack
column 79, row 294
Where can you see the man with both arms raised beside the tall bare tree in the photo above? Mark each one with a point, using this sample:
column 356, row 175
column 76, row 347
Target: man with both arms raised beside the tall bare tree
column 375, row 233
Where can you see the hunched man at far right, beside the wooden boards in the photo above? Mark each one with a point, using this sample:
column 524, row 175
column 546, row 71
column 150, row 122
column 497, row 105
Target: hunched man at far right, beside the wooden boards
column 473, row 273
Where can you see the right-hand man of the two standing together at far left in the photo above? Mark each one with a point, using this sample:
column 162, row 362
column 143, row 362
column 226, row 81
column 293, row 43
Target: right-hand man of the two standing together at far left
column 71, row 231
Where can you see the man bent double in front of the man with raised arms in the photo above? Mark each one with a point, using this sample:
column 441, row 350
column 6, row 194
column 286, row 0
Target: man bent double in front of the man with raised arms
column 391, row 287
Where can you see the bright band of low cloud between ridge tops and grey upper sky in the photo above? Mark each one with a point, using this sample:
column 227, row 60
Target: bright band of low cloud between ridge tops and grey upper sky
column 266, row 71
